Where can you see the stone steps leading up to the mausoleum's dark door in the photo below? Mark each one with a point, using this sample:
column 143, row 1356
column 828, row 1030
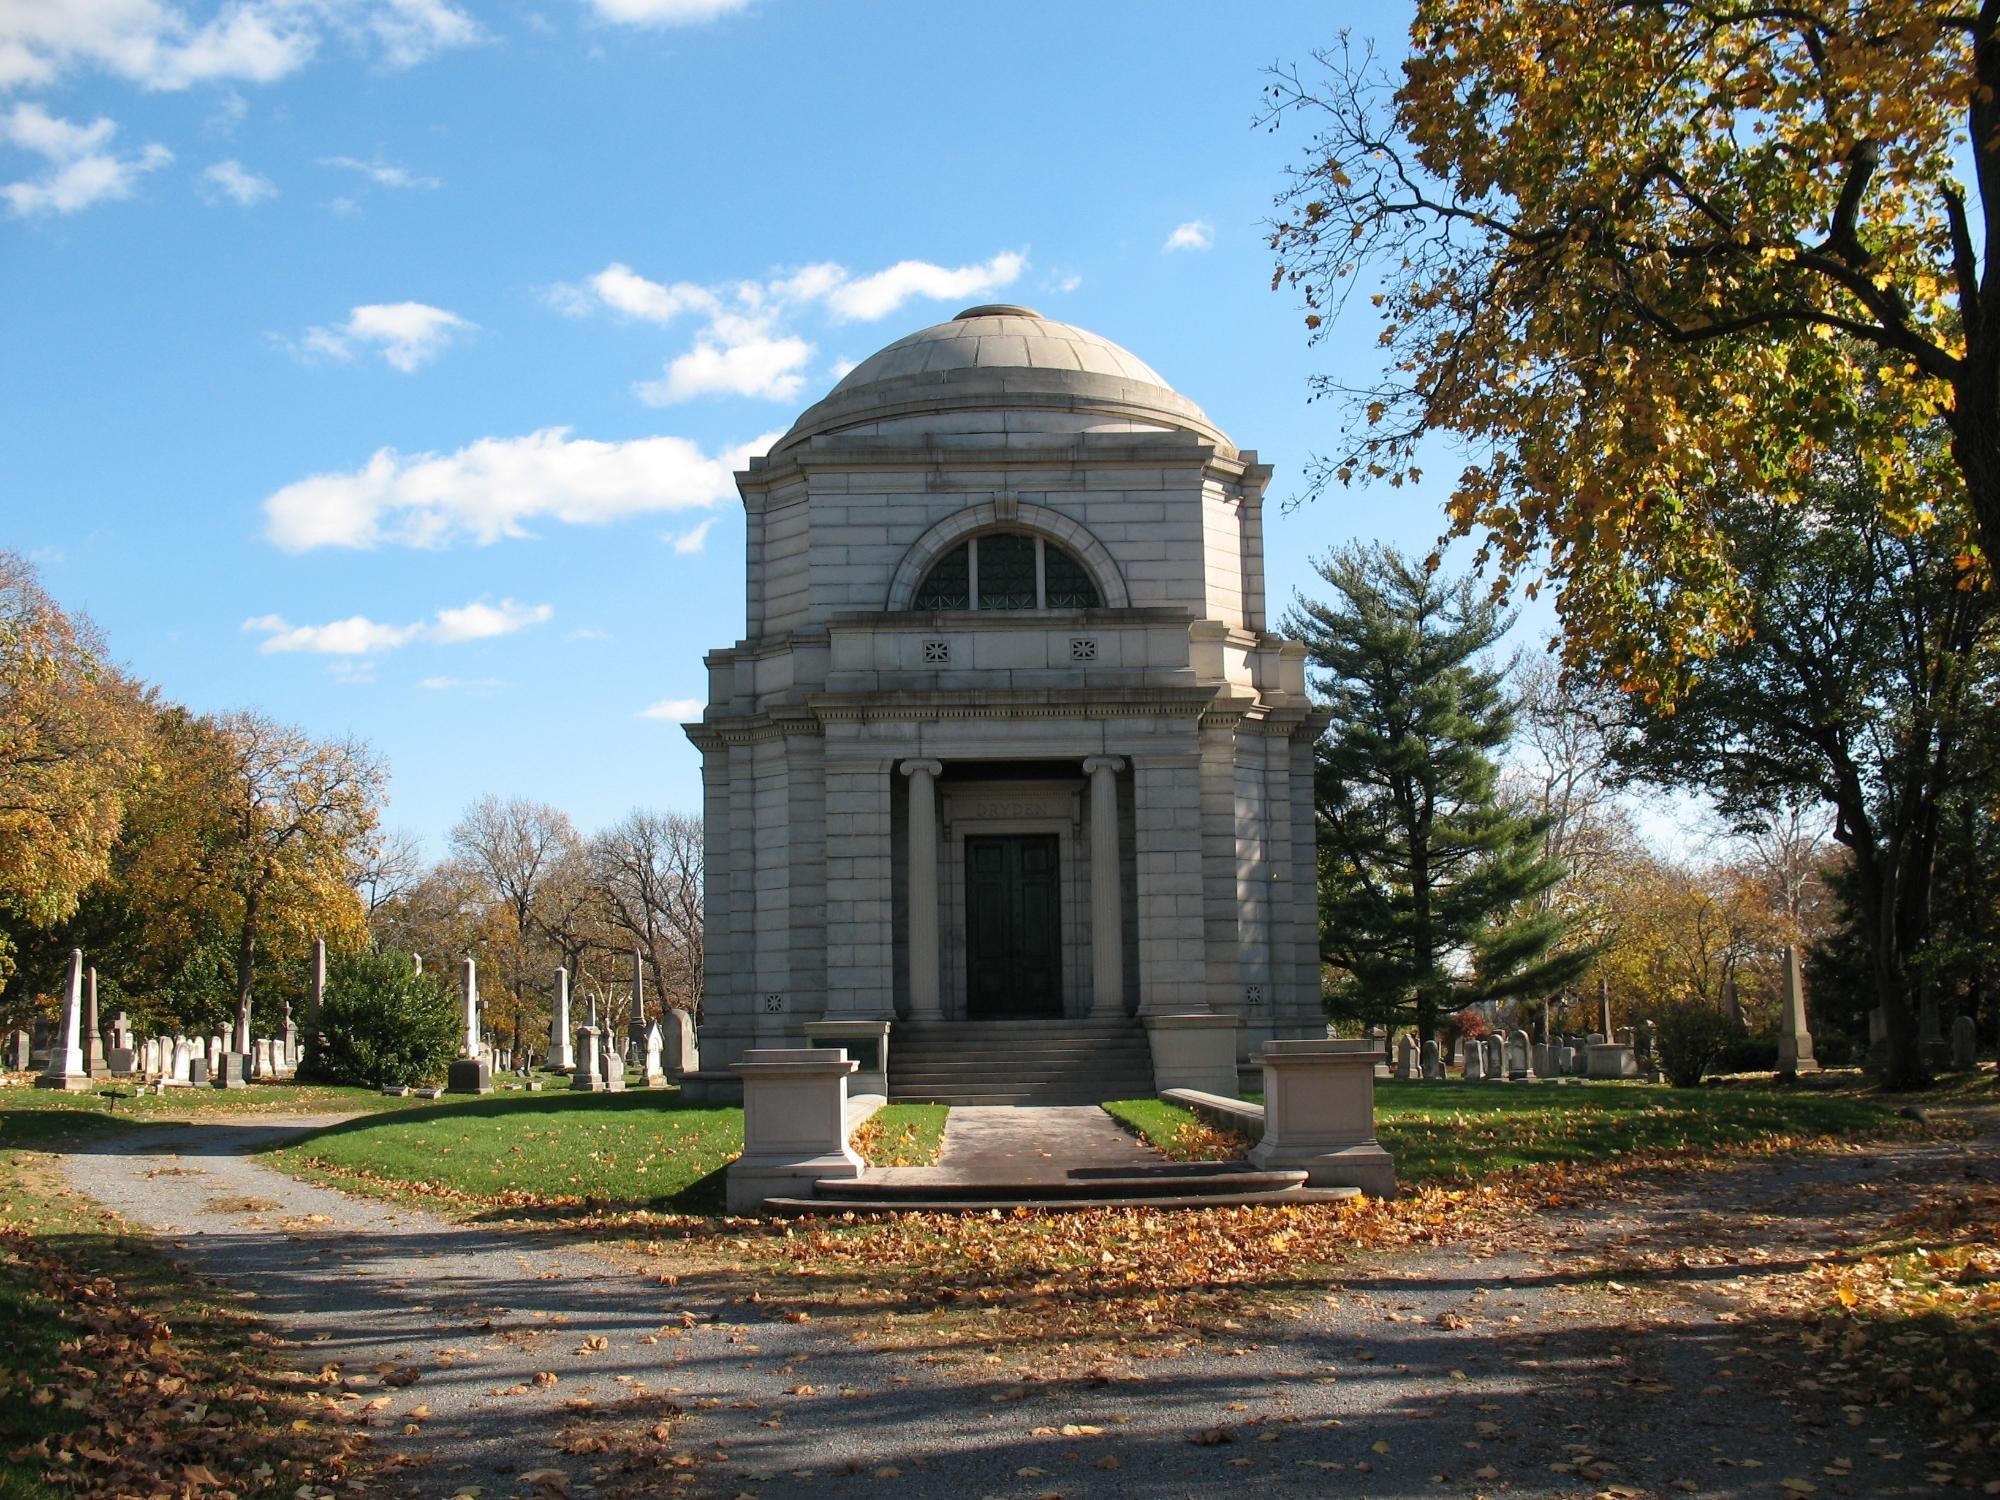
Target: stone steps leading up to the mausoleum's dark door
column 1019, row 1061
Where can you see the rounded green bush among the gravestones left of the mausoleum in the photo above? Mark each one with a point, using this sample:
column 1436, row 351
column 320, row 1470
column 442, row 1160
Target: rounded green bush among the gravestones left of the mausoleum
column 383, row 1025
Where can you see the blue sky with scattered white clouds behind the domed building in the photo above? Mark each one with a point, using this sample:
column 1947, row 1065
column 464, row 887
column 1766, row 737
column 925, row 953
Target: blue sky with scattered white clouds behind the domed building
column 381, row 363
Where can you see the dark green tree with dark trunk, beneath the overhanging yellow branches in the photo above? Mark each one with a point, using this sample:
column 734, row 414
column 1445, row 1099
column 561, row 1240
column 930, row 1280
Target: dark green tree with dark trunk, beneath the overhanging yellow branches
column 1865, row 679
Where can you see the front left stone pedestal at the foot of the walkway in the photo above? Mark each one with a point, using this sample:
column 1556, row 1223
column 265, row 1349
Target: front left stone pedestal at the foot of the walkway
column 795, row 1125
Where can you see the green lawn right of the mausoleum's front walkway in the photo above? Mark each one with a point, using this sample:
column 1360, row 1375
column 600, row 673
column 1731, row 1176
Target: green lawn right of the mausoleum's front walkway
column 1467, row 1131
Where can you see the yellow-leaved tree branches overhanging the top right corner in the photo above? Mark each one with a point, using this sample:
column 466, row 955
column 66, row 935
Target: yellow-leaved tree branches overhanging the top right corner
column 1645, row 255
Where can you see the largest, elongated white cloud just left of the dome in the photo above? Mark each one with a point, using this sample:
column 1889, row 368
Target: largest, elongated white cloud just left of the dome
column 499, row 487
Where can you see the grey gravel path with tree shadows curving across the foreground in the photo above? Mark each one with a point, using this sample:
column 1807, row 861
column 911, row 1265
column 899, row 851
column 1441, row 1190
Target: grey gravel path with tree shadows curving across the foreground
column 1497, row 1371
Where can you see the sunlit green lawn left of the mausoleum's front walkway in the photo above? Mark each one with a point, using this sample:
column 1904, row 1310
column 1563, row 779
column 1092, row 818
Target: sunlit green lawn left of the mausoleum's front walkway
column 641, row 1149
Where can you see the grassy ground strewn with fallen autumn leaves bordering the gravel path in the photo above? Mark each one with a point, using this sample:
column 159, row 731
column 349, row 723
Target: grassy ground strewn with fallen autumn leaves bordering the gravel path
column 129, row 1383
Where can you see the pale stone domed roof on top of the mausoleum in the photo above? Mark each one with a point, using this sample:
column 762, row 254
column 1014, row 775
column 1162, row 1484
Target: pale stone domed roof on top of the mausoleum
column 1003, row 357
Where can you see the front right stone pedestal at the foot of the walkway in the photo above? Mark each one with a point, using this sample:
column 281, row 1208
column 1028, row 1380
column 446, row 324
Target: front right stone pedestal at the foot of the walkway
column 1319, row 1117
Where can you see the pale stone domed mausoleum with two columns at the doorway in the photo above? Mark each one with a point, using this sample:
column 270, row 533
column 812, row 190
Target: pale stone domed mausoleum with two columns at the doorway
column 1009, row 771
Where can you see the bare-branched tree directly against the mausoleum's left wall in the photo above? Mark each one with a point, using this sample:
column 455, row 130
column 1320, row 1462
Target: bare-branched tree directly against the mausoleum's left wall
column 649, row 877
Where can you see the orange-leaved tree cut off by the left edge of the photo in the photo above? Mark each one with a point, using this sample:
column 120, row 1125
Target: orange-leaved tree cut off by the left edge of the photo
column 71, row 751
